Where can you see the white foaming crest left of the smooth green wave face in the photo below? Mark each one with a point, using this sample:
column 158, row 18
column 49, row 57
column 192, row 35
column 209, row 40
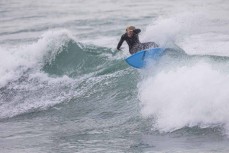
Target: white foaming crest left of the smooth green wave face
column 18, row 59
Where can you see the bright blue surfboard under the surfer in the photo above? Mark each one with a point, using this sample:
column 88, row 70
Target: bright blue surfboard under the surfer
column 139, row 59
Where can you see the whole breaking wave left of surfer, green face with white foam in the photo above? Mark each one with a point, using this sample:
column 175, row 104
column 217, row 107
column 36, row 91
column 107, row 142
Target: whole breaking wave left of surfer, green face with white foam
column 54, row 70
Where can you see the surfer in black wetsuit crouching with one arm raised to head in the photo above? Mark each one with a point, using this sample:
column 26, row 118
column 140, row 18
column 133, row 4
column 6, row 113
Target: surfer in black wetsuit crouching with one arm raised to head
column 131, row 37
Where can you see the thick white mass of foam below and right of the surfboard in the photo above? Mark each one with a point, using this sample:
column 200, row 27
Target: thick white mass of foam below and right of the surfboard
column 189, row 96
